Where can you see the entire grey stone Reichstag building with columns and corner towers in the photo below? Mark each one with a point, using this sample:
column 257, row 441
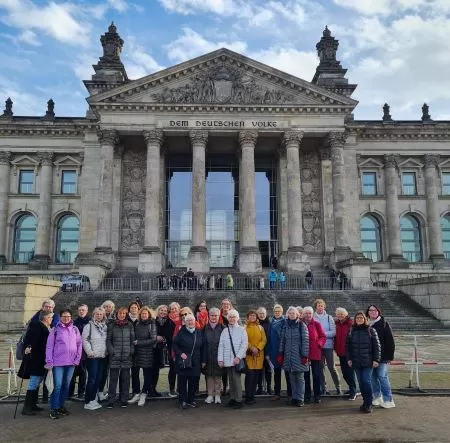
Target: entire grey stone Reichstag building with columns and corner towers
column 222, row 162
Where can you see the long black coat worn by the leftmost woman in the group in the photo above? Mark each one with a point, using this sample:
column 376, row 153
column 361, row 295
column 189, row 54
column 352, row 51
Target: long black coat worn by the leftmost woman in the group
column 33, row 364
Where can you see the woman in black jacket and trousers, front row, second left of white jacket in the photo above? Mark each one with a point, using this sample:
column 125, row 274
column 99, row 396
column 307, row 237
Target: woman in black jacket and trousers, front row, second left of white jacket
column 187, row 347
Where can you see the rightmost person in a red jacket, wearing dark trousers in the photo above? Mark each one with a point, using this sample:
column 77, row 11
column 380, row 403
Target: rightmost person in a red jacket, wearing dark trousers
column 343, row 325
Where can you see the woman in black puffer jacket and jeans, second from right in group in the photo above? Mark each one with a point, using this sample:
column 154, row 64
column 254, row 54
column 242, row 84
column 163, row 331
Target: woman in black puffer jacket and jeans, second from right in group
column 363, row 354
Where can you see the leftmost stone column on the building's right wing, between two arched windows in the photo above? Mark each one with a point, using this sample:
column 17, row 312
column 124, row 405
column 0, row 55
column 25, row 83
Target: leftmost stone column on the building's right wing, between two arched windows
column 392, row 213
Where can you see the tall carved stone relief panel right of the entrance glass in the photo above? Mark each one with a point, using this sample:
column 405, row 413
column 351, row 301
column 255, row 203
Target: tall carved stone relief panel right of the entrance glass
column 311, row 193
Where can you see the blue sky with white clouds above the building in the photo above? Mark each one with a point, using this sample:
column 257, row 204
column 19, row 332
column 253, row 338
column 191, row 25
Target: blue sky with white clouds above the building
column 397, row 51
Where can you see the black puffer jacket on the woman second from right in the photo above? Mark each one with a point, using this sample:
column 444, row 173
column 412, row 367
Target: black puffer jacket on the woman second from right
column 363, row 346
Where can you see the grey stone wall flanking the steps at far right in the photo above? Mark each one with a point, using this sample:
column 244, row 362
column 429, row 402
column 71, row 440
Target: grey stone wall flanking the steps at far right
column 432, row 293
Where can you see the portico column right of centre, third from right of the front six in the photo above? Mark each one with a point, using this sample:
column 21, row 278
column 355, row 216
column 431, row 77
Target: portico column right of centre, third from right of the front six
column 249, row 255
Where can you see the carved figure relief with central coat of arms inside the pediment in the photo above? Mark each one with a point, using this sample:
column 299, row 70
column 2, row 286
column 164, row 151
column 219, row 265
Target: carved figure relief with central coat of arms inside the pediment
column 223, row 83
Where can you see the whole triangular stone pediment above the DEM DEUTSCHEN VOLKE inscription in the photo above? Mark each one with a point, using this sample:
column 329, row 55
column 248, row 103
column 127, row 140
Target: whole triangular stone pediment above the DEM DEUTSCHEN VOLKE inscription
column 223, row 77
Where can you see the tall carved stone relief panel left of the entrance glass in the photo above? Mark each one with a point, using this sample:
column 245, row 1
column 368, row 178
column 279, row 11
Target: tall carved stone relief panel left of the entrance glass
column 133, row 200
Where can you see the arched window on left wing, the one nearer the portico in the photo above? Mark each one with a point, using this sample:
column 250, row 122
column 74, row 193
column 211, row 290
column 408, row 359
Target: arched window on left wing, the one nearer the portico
column 67, row 239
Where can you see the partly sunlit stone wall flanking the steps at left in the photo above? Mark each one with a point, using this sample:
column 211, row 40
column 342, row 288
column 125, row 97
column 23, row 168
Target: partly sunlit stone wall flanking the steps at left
column 21, row 297
